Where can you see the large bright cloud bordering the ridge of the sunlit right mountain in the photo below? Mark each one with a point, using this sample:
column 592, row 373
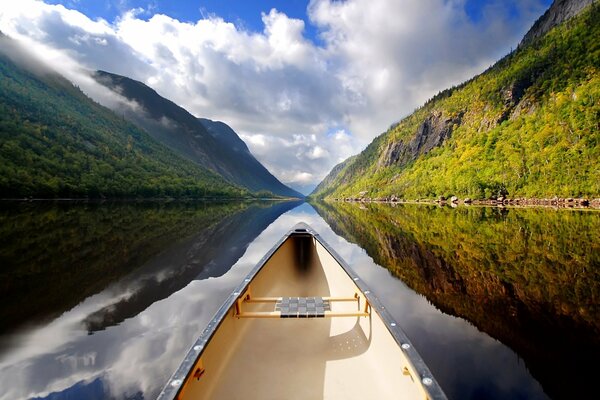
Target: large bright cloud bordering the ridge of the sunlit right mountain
column 394, row 55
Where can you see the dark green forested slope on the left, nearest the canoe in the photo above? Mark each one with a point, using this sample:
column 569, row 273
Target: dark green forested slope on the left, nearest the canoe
column 57, row 142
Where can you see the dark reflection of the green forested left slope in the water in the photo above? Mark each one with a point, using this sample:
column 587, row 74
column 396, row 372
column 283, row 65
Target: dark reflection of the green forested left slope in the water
column 51, row 249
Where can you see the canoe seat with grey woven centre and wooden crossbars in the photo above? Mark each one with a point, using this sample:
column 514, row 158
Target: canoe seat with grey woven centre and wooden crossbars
column 299, row 307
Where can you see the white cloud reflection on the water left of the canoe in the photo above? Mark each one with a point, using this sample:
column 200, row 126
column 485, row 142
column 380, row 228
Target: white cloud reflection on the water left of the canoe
column 140, row 353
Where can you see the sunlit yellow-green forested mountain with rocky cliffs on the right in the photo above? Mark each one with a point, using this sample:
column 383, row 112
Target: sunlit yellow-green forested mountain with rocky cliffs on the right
column 526, row 127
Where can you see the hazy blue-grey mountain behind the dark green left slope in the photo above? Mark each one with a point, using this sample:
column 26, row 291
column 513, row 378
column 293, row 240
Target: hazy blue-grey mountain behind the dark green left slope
column 213, row 145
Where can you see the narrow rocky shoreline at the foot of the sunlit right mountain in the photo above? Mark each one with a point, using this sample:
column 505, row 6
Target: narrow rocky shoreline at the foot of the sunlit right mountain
column 556, row 202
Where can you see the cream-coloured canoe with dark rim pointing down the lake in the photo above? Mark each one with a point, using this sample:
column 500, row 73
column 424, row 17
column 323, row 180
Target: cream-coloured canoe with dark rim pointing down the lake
column 302, row 325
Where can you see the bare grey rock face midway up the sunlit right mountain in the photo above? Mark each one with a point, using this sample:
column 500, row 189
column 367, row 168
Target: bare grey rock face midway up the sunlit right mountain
column 432, row 133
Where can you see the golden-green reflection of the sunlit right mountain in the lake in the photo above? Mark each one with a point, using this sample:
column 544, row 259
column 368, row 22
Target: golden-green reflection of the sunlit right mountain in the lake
column 526, row 277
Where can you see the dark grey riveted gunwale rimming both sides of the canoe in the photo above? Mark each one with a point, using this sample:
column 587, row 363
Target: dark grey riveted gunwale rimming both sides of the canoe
column 176, row 381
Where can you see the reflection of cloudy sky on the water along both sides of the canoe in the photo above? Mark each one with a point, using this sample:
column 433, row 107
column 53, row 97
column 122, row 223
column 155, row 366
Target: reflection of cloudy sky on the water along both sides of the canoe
column 141, row 353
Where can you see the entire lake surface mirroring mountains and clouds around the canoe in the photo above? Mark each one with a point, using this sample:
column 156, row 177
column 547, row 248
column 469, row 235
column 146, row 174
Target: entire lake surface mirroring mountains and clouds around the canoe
column 143, row 320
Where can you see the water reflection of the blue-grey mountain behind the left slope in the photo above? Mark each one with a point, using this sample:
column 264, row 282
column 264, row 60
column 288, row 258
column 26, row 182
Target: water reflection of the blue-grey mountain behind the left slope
column 209, row 253
